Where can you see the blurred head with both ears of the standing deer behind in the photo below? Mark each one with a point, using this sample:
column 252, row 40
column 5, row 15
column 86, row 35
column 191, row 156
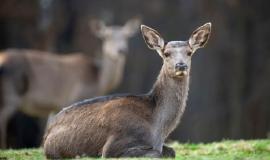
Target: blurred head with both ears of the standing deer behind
column 115, row 38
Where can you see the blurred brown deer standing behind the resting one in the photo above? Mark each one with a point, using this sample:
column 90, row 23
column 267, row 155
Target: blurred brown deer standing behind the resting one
column 38, row 83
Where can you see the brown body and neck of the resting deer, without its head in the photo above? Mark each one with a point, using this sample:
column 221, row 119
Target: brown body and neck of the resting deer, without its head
column 137, row 119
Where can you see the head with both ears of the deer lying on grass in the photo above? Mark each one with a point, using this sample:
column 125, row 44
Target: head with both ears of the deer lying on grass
column 176, row 55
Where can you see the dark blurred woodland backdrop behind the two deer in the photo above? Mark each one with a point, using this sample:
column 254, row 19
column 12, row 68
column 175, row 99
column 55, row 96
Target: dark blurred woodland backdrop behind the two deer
column 229, row 95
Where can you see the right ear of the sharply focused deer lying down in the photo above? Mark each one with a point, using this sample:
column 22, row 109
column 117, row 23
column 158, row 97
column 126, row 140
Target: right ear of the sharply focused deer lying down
column 200, row 36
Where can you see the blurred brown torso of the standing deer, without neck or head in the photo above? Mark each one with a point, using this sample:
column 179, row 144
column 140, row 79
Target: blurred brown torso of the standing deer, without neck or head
column 39, row 79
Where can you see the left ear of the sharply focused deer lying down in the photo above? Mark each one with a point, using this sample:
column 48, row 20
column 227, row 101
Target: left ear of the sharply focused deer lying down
column 152, row 38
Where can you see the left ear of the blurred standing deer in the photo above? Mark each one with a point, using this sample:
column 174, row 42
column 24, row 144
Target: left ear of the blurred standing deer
column 97, row 27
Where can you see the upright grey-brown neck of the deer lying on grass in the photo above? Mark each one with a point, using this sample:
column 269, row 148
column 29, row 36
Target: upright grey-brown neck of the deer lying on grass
column 170, row 95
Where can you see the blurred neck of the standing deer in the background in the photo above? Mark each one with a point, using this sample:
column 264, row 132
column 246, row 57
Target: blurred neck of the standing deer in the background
column 111, row 73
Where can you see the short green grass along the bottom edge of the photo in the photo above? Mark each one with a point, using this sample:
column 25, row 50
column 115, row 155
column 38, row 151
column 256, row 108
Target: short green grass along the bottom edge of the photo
column 225, row 150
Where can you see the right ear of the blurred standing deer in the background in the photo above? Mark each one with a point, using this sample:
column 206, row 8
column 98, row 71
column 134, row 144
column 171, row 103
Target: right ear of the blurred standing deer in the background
column 132, row 26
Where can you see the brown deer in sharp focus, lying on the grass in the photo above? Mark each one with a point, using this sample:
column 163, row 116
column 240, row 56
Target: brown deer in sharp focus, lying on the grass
column 130, row 125
